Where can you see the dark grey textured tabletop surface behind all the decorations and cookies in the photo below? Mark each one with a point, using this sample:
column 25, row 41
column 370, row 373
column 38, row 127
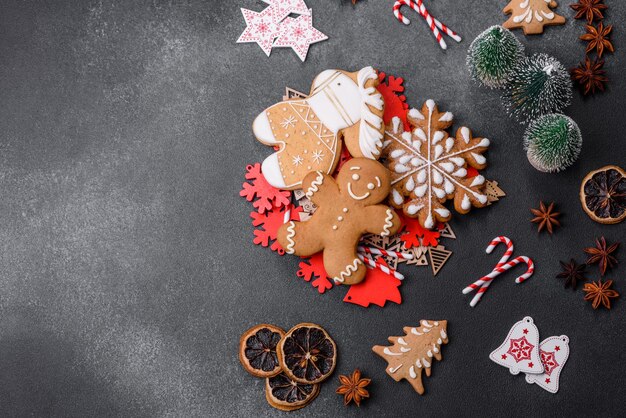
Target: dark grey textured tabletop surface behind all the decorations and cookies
column 127, row 272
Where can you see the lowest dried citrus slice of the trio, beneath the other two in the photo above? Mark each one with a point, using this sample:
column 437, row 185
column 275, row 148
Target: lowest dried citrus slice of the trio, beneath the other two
column 288, row 395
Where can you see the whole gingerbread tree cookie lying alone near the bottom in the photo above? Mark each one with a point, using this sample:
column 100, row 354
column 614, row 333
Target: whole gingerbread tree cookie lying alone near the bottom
column 414, row 352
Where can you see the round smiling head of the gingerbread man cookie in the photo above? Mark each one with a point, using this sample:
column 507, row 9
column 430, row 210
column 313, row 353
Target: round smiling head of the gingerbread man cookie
column 366, row 182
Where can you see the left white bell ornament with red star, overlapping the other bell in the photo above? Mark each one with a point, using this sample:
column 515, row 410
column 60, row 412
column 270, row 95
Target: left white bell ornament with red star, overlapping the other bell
column 520, row 350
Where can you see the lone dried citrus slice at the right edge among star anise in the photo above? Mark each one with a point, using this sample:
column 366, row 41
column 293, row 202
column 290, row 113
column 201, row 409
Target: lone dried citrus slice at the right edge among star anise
column 603, row 194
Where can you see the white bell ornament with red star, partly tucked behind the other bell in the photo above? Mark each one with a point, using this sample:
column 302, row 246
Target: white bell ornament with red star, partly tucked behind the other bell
column 554, row 352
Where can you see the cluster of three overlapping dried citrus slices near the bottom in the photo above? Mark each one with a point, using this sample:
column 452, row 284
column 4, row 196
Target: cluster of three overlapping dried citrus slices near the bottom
column 293, row 363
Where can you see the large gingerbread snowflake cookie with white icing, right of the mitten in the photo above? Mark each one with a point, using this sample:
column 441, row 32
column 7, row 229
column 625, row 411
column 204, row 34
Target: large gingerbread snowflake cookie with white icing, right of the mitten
column 429, row 167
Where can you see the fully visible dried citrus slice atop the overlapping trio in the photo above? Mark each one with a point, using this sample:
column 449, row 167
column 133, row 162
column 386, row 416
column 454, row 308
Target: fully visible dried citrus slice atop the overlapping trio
column 307, row 354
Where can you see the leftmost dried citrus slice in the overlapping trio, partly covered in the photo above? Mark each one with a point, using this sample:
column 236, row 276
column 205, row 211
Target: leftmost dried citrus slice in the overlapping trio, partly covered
column 257, row 350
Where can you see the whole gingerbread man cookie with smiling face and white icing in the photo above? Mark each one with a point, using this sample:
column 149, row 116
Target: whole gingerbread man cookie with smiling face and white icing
column 346, row 209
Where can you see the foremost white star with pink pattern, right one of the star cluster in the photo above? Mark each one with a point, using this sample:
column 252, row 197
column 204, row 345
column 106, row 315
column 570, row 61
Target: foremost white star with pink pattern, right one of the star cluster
column 299, row 34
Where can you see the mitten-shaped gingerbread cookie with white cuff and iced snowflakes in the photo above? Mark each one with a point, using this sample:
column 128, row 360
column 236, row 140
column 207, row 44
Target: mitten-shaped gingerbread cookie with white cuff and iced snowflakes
column 309, row 131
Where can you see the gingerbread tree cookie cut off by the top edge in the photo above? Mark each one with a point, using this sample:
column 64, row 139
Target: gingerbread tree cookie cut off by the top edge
column 532, row 15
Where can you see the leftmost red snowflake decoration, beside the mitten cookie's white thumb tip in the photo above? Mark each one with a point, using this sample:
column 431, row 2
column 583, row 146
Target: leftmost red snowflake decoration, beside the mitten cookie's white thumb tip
column 267, row 197
